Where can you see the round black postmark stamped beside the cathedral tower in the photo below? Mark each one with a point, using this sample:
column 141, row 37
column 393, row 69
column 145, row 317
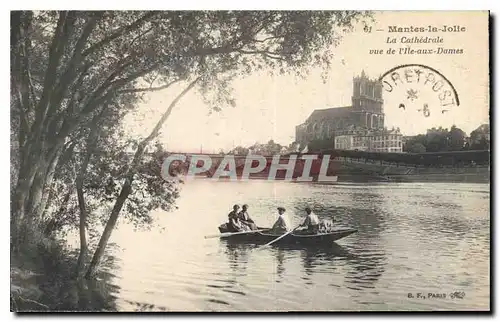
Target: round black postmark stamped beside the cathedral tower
column 421, row 87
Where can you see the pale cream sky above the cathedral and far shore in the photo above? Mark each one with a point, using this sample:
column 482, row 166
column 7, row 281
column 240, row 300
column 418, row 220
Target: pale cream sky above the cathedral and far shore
column 270, row 107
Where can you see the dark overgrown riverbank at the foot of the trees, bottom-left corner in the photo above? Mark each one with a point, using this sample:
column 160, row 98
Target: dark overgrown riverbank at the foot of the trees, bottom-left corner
column 43, row 278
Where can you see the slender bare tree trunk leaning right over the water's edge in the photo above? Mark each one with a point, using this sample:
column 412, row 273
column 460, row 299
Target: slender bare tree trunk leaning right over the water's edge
column 127, row 186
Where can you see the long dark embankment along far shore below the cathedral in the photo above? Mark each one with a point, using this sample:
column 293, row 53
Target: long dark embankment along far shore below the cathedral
column 376, row 164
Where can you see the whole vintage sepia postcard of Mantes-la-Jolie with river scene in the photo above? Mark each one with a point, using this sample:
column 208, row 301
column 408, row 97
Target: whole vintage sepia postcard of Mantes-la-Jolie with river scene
column 250, row 161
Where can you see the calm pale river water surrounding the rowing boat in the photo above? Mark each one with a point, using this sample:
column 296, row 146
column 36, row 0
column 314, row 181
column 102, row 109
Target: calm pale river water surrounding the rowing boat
column 411, row 238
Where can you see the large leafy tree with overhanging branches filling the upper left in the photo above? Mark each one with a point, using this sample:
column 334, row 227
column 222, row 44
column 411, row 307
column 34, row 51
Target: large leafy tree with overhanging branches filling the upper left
column 74, row 75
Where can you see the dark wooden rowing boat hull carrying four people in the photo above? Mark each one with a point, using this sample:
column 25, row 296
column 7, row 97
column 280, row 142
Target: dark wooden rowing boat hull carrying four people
column 298, row 237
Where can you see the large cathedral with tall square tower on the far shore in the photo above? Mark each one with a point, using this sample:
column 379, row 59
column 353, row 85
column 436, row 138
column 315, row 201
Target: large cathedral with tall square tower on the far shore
column 366, row 113
